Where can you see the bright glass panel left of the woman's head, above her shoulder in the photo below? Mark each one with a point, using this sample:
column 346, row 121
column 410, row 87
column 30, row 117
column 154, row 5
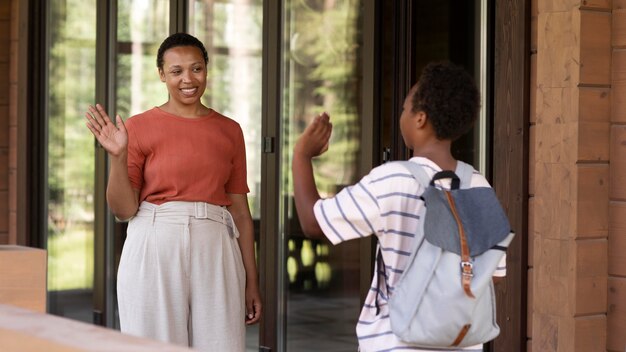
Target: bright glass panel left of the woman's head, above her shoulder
column 142, row 26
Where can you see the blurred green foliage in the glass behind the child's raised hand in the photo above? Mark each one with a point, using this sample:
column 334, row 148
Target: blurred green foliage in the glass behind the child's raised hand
column 323, row 76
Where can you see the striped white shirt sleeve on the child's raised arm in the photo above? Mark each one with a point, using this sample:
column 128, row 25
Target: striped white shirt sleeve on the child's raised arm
column 352, row 213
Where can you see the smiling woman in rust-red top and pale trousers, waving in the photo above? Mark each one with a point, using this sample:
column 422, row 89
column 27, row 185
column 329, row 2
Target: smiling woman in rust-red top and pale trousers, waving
column 187, row 274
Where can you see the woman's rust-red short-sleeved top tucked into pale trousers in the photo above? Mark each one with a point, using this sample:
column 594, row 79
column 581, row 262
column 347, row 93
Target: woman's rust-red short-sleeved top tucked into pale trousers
column 171, row 158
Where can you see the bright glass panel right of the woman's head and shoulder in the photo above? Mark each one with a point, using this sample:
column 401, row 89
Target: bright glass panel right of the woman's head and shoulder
column 232, row 31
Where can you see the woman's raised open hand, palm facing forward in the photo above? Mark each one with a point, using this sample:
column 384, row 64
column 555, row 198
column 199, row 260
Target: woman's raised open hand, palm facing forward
column 114, row 139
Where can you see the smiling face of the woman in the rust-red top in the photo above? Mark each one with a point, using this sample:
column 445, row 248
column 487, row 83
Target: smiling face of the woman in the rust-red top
column 184, row 73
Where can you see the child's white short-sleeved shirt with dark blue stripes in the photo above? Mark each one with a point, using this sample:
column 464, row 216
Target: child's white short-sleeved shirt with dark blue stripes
column 385, row 203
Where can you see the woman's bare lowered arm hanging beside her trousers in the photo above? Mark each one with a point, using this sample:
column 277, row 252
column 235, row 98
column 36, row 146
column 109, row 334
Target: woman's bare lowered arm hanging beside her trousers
column 243, row 220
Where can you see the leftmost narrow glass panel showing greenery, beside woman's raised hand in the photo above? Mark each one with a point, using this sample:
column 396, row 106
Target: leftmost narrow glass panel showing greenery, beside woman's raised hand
column 71, row 87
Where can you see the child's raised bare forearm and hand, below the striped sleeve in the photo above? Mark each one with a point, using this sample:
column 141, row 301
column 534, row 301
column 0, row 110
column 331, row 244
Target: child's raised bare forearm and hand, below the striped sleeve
column 312, row 143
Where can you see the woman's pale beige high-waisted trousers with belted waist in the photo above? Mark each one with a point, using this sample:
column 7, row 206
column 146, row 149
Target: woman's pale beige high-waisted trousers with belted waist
column 181, row 277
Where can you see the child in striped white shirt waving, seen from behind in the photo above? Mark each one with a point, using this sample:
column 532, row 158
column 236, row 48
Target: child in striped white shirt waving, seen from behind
column 388, row 203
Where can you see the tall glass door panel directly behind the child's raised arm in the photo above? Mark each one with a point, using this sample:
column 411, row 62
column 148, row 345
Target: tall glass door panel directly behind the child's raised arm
column 321, row 73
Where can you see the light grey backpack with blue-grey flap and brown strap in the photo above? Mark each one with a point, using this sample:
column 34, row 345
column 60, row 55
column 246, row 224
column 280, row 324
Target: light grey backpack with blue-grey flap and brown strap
column 445, row 297
